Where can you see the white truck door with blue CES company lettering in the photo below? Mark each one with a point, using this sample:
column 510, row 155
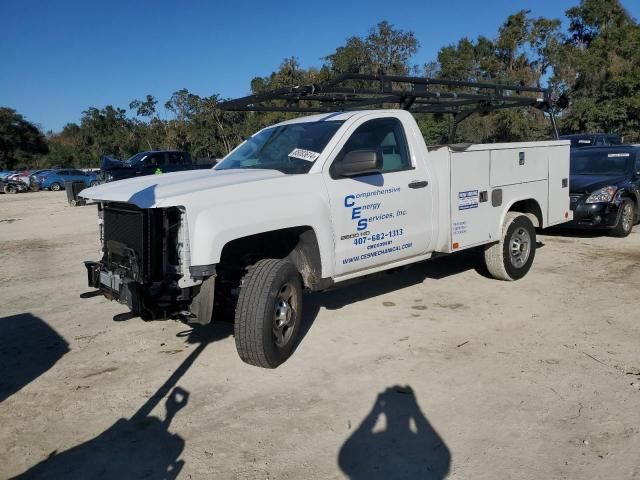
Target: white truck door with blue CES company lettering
column 384, row 217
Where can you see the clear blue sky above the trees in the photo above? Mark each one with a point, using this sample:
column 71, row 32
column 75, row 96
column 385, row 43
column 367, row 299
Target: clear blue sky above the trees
column 58, row 58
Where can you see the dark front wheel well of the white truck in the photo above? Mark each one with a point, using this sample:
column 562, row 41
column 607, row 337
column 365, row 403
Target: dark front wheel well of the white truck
column 298, row 243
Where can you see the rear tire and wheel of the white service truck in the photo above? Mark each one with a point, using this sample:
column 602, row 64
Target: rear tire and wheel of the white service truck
column 511, row 258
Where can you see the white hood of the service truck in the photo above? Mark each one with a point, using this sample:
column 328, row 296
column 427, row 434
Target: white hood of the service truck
column 166, row 189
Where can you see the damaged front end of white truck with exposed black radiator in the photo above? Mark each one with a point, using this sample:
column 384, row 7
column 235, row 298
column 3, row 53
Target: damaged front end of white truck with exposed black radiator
column 146, row 261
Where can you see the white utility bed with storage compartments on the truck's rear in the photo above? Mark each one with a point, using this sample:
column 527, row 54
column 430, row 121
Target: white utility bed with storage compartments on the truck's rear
column 484, row 178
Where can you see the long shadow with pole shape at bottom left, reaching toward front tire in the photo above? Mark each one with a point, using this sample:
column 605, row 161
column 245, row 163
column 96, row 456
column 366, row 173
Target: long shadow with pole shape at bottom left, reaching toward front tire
column 141, row 446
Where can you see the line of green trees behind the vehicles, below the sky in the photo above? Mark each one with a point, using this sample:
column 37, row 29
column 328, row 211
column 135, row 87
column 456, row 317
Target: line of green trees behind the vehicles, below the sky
column 595, row 61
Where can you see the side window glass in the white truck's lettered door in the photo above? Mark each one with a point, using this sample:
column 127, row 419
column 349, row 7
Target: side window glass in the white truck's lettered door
column 386, row 135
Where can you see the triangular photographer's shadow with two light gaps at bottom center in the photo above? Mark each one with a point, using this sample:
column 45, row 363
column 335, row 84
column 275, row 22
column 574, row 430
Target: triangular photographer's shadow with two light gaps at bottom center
column 395, row 441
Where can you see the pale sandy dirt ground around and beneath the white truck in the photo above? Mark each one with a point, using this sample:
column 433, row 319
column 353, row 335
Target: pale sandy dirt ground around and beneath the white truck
column 433, row 372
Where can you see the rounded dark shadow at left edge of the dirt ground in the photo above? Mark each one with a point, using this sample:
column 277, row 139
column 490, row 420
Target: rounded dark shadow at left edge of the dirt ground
column 28, row 348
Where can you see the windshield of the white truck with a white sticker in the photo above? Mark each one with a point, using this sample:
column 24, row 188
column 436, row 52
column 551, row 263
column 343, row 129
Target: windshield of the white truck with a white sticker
column 289, row 148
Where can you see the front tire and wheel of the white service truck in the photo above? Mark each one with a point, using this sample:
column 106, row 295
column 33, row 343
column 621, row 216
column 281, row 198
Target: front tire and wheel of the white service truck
column 267, row 317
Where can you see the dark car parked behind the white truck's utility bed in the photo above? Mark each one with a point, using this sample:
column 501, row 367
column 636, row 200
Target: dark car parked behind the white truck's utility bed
column 605, row 188
